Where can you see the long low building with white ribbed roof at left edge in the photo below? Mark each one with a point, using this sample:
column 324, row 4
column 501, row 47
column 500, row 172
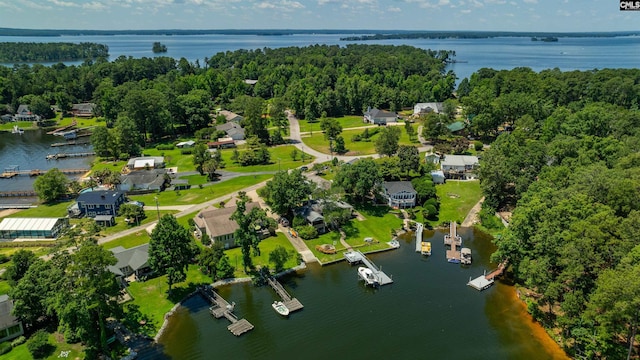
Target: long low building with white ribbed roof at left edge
column 32, row 228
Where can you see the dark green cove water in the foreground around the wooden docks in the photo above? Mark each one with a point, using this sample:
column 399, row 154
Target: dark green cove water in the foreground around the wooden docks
column 428, row 312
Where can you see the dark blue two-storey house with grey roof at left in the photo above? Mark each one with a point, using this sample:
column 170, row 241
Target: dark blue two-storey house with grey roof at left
column 100, row 202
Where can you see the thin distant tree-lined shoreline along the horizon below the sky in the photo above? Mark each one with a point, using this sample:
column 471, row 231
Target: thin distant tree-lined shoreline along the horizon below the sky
column 365, row 34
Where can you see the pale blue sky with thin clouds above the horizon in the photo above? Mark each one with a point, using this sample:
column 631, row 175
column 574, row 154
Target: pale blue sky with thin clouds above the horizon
column 498, row 15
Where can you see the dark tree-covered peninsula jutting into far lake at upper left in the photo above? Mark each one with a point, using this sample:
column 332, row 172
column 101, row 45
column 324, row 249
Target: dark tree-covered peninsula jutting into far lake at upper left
column 19, row 52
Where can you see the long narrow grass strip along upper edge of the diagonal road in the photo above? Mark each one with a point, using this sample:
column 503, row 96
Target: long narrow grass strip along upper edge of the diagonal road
column 196, row 195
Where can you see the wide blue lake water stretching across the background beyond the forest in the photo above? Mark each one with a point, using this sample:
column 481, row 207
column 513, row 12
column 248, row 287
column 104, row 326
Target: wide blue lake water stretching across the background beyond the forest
column 498, row 53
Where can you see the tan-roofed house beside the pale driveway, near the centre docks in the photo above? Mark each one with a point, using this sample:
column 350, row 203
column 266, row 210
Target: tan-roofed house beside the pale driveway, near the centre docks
column 217, row 225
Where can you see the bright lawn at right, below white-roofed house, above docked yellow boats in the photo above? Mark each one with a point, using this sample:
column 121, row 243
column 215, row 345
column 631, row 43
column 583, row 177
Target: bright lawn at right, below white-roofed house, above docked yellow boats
column 456, row 199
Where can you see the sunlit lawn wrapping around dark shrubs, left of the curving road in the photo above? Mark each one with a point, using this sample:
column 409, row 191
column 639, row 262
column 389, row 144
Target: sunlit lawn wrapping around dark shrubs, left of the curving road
column 280, row 160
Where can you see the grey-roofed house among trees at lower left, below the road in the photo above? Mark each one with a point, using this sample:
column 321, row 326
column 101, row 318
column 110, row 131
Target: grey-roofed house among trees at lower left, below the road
column 131, row 262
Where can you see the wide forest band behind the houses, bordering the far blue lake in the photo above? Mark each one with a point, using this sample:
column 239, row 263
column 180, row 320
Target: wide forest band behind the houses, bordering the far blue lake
column 164, row 96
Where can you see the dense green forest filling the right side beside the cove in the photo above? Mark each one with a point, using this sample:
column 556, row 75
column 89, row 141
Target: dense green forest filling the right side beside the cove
column 570, row 171
